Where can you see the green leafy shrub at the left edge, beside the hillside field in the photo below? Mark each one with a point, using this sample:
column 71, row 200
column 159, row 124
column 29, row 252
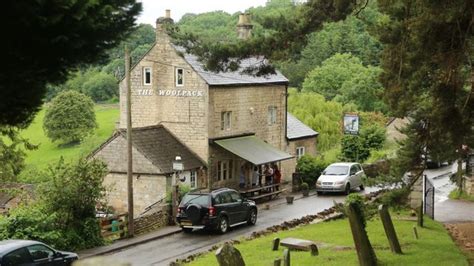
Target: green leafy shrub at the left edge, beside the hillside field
column 12, row 153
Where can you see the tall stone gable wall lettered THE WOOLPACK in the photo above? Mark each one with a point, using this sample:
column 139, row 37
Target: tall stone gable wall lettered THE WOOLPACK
column 182, row 109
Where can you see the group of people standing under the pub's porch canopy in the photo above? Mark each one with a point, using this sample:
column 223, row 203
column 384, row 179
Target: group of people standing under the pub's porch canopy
column 270, row 175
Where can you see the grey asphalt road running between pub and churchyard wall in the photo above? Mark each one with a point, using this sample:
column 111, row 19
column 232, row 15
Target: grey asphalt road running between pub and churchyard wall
column 165, row 250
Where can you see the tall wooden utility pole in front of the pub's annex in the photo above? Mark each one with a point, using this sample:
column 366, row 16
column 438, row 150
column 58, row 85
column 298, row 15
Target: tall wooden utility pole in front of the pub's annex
column 129, row 145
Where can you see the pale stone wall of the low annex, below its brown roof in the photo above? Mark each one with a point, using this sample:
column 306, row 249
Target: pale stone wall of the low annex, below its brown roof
column 147, row 189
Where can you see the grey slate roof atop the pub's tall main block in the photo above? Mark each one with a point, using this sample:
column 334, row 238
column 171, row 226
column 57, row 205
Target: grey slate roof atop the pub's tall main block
column 235, row 77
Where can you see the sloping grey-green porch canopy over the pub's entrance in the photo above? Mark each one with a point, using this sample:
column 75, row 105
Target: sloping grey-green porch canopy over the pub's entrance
column 253, row 150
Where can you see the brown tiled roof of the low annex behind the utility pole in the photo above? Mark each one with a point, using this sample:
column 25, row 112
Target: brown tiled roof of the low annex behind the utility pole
column 155, row 144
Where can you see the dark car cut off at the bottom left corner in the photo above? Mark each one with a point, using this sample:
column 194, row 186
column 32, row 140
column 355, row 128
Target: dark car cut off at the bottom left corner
column 28, row 252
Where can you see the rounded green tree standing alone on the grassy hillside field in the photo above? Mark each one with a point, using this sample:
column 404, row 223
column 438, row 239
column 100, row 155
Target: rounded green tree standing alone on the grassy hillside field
column 70, row 117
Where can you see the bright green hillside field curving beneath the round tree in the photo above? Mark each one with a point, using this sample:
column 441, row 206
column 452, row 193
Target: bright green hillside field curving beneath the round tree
column 49, row 152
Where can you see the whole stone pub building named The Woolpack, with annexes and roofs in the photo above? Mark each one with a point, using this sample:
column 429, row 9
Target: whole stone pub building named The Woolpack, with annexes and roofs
column 221, row 124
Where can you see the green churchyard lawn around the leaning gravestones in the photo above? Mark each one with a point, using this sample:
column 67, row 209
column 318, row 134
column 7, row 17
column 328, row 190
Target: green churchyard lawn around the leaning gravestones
column 434, row 247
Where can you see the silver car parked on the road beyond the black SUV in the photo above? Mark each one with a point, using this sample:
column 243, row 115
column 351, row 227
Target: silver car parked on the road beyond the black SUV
column 340, row 177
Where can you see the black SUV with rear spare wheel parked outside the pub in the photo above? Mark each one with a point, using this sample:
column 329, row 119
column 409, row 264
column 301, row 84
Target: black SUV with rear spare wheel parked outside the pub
column 219, row 210
